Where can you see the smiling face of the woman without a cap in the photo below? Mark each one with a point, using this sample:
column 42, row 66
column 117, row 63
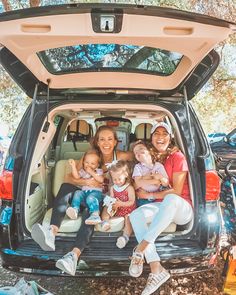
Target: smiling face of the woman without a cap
column 106, row 142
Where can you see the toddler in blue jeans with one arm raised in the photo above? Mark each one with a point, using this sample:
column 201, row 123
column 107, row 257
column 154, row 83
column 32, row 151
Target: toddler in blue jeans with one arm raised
column 91, row 196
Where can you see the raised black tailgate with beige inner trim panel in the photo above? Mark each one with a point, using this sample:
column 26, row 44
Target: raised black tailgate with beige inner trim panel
column 32, row 39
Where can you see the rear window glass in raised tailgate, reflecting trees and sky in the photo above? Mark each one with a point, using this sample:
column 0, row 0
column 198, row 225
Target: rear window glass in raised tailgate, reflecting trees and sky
column 110, row 57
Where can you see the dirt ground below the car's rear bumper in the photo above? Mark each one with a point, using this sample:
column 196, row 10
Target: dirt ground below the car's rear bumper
column 205, row 283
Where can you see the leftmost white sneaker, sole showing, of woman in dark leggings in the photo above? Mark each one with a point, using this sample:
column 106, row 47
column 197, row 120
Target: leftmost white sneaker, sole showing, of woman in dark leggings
column 43, row 236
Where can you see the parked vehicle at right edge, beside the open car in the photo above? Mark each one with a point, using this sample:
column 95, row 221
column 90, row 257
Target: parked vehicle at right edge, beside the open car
column 225, row 150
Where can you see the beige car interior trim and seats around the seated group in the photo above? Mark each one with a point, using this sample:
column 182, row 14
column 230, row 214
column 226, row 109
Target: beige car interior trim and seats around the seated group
column 47, row 173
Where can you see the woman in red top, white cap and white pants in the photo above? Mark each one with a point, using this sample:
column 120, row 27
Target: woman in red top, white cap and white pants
column 176, row 206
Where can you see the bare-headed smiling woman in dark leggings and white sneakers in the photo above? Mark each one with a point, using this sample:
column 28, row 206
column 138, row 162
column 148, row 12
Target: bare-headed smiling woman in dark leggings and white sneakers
column 105, row 142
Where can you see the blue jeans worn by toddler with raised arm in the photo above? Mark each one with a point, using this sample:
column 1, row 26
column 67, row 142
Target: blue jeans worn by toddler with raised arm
column 92, row 198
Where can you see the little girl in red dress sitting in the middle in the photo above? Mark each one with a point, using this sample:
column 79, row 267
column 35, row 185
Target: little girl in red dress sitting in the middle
column 124, row 193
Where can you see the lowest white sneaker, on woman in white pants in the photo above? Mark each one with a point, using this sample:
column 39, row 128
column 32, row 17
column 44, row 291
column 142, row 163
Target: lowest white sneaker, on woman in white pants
column 155, row 281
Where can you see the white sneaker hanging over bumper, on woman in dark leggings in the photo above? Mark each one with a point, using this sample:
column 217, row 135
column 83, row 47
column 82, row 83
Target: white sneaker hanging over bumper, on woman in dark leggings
column 68, row 263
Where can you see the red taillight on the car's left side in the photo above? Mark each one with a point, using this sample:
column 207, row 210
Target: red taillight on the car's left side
column 6, row 185
